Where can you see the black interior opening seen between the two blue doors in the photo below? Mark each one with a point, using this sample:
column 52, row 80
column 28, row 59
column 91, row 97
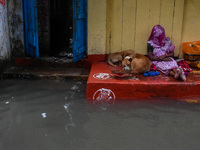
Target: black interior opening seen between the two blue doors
column 61, row 28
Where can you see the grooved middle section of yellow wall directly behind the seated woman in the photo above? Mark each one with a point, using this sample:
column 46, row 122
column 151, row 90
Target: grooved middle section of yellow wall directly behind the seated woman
column 131, row 22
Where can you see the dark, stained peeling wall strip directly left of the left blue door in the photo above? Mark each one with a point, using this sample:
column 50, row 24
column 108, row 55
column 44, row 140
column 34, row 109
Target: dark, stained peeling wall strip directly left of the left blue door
column 16, row 28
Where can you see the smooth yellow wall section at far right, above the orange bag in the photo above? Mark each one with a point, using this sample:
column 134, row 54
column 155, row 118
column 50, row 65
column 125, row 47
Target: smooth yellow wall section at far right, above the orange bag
column 191, row 21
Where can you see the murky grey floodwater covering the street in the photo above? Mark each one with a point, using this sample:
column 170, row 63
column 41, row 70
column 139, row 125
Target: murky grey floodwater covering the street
column 55, row 115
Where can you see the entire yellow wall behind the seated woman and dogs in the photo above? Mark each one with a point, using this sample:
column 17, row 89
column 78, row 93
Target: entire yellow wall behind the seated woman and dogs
column 129, row 23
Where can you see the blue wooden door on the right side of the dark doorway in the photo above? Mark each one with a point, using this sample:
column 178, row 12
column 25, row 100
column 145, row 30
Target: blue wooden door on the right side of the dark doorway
column 79, row 29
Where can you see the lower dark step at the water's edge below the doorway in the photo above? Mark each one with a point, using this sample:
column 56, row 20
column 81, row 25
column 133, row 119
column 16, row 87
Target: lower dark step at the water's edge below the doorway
column 46, row 73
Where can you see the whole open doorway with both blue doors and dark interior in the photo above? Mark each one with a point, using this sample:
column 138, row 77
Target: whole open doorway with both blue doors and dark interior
column 60, row 28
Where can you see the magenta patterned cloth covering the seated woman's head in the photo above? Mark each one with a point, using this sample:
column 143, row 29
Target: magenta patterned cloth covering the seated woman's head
column 157, row 36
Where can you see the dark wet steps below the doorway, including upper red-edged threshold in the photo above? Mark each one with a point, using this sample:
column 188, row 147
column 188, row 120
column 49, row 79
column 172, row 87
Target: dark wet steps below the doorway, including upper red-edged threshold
column 46, row 68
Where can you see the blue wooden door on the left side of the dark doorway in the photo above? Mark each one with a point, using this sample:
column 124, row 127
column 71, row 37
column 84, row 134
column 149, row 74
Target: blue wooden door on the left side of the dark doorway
column 31, row 28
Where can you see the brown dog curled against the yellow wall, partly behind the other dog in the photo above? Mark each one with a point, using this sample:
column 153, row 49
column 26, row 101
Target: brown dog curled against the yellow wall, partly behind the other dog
column 118, row 57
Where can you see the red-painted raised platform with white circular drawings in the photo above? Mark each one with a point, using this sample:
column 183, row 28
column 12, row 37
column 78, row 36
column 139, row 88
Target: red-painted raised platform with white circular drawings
column 102, row 84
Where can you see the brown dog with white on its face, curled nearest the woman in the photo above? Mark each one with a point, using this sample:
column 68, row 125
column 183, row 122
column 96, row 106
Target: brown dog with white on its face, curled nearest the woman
column 137, row 62
